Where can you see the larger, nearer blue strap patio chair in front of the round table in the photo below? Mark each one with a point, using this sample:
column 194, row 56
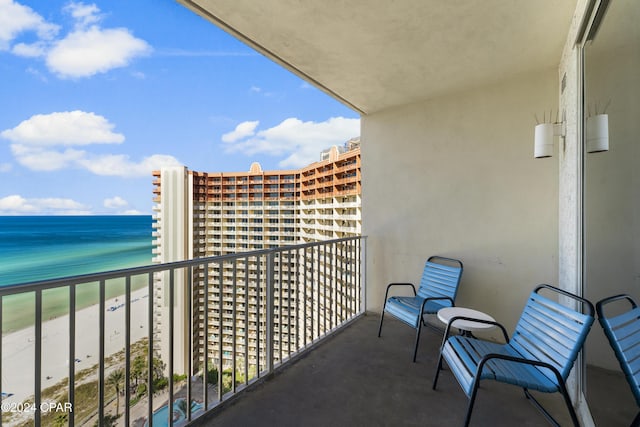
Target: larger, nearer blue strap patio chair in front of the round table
column 539, row 356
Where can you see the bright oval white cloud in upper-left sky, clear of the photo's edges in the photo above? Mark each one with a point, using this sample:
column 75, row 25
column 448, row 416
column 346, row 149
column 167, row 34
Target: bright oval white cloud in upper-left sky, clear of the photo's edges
column 84, row 53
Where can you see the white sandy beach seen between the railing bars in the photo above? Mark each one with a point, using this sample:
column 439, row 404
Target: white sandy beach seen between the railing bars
column 18, row 348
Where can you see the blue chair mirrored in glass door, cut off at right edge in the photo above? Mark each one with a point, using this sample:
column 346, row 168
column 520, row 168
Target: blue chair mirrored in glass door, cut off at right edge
column 623, row 332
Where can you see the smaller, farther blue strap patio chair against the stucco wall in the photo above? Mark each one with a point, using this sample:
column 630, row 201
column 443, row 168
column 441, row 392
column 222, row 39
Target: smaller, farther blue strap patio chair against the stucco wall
column 438, row 289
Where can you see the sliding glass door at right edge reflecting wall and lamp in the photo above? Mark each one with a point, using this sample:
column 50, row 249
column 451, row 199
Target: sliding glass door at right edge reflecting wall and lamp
column 611, row 184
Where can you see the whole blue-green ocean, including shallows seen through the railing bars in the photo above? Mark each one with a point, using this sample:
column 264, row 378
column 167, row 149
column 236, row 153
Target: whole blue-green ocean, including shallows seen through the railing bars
column 36, row 248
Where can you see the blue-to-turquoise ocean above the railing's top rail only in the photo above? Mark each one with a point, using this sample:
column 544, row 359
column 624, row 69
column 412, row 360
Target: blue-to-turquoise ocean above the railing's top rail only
column 46, row 247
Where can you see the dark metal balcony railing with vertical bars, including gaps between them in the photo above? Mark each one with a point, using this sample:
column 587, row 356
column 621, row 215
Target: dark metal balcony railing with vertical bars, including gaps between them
column 152, row 331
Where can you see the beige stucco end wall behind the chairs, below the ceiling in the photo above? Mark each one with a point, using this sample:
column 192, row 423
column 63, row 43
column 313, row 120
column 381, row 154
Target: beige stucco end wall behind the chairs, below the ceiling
column 456, row 177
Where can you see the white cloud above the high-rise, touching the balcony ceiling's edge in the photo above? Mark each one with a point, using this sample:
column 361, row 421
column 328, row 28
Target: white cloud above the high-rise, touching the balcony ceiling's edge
column 301, row 142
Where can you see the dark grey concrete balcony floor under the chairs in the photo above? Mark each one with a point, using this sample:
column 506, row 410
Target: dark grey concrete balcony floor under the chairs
column 358, row 379
